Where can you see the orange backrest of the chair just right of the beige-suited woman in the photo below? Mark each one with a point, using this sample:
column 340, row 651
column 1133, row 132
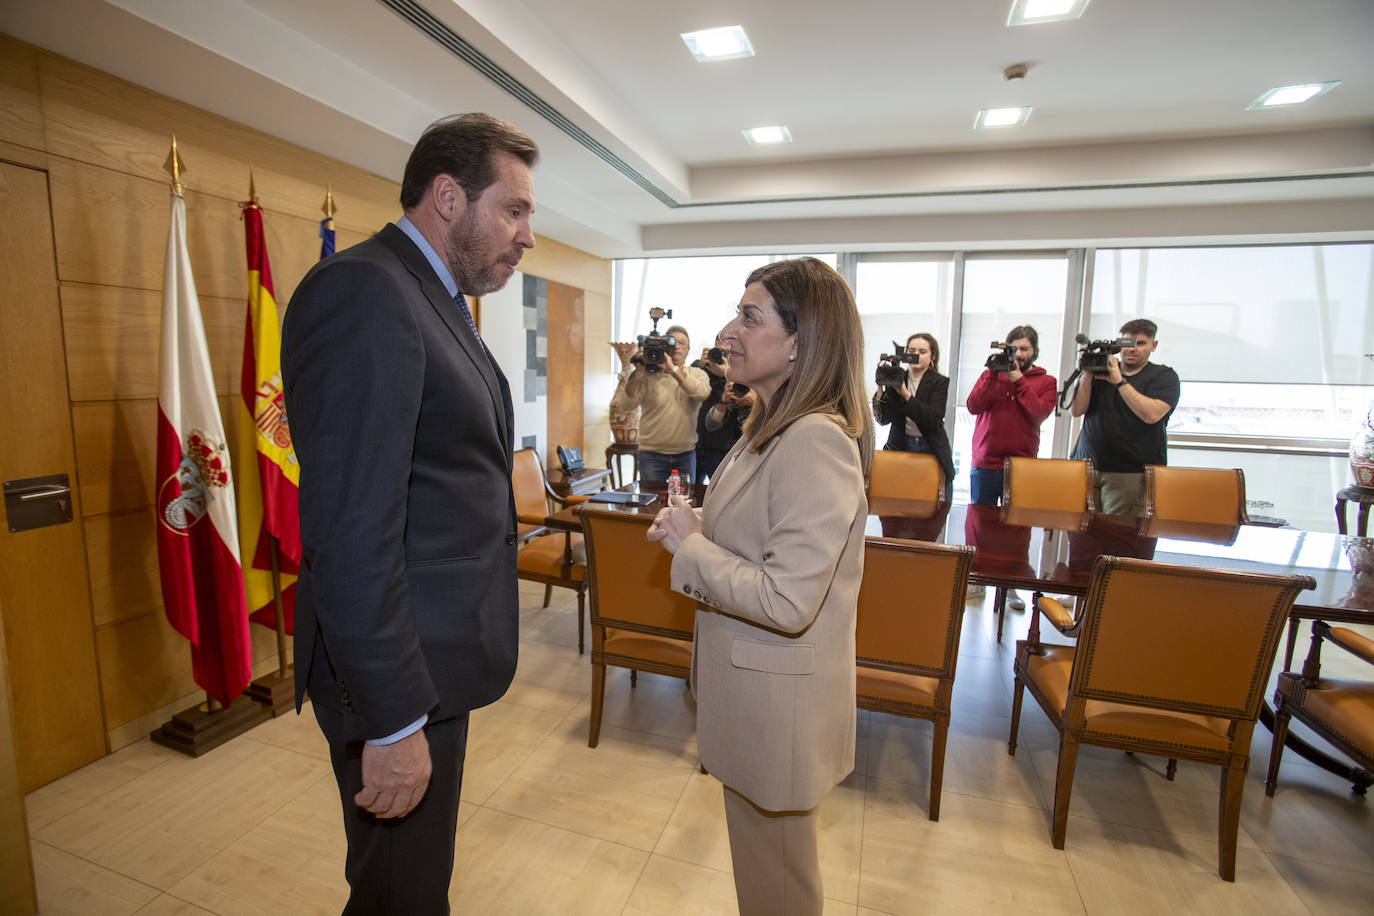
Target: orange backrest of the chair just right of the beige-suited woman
column 912, row 606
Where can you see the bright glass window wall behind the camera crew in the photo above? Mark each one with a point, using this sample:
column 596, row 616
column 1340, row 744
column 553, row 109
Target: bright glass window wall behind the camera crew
column 1269, row 341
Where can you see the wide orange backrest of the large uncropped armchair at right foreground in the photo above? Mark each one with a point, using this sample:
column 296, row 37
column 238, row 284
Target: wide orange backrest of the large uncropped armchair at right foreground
column 1180, row 638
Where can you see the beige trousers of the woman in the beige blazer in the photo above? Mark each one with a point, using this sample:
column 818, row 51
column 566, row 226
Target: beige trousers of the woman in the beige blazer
column 777, row 859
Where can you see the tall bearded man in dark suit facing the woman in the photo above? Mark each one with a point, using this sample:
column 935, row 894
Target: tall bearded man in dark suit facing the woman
column 406, row 613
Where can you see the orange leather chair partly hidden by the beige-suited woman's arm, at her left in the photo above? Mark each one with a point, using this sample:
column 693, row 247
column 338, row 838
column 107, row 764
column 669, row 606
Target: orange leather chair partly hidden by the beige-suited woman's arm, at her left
column 638, row 621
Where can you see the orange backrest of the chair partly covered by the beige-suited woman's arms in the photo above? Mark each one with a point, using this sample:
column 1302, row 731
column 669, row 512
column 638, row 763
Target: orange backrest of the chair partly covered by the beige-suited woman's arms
column 631, row 576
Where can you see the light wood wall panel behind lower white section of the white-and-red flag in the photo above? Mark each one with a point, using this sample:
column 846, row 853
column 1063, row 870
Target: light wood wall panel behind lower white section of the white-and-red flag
column 113, row 337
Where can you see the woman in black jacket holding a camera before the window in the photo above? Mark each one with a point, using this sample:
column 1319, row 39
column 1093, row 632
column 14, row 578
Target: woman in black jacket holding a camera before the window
column 916, row 409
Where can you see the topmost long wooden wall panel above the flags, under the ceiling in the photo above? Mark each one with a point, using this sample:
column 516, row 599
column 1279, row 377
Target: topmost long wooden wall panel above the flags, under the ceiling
column 135, row 128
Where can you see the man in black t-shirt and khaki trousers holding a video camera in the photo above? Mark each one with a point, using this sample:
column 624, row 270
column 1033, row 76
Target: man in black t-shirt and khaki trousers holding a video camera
column 1126, row 411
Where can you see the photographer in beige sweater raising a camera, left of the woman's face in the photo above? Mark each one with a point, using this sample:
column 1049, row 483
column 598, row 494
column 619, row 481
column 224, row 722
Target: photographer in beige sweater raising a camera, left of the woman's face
column 670, row 393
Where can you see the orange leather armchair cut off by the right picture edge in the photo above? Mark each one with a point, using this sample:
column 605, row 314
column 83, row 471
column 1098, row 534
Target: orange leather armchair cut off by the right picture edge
column 1338, row 709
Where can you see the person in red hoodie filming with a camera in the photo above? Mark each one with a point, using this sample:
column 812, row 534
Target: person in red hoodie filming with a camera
column 1011, row 409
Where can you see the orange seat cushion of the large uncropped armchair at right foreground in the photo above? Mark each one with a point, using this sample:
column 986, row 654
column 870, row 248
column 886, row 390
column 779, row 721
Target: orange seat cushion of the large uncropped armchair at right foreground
column 1050, row 674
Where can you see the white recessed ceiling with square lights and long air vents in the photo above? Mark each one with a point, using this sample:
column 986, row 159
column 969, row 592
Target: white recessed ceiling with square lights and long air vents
column 1140, row 131
